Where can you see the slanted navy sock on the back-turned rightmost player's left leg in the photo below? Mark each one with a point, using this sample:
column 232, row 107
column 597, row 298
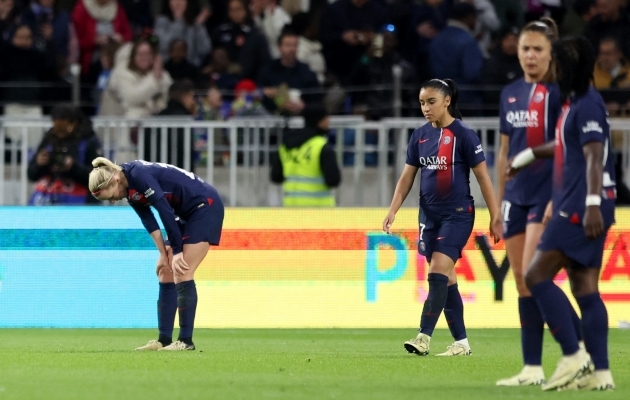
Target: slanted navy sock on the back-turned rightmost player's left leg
column 556, row 311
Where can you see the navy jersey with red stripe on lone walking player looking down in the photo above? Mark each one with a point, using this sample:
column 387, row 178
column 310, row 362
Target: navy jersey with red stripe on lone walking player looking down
column 445, row 156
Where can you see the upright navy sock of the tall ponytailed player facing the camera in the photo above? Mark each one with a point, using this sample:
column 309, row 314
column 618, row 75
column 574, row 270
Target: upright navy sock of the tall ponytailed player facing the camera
column 532, row 330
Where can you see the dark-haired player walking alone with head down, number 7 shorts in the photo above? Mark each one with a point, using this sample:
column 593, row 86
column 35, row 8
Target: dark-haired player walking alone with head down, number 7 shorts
column 445, row 150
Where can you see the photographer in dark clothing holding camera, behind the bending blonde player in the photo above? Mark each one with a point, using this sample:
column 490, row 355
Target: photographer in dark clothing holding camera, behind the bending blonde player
column 62, row 164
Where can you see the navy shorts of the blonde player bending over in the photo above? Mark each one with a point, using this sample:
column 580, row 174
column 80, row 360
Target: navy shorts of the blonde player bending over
column 204, row 224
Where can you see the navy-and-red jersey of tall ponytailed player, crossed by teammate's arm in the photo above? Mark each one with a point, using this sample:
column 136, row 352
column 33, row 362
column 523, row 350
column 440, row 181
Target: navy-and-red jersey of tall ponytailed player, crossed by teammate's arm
column 528, row 113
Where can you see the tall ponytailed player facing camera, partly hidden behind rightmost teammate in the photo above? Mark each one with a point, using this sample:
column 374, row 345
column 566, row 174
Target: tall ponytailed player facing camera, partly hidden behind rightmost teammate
column 529, row 108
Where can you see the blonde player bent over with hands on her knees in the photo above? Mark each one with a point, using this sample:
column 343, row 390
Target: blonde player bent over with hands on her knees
column 192, row 214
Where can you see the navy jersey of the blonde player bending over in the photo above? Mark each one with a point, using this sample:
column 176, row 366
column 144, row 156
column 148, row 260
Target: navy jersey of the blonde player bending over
column 172, row 191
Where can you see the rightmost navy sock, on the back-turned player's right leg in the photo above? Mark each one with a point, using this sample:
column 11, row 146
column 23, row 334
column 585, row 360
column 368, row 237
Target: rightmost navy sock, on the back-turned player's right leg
column 595, row 322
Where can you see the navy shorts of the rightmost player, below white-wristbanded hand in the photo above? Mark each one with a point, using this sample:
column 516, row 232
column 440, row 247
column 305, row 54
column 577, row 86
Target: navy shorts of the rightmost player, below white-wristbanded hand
column 569, row 238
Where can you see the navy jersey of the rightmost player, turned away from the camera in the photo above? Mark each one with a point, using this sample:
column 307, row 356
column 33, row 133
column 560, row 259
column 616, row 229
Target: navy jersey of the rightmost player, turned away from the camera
column 583, row 120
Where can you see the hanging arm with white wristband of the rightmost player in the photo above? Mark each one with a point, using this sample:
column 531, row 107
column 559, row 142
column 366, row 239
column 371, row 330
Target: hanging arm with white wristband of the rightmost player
column 593, row 221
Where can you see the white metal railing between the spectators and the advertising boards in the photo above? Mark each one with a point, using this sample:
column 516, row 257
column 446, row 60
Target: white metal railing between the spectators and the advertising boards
column 249, row 143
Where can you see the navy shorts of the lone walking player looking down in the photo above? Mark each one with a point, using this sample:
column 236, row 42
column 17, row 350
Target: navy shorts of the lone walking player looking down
column 446, row 233
